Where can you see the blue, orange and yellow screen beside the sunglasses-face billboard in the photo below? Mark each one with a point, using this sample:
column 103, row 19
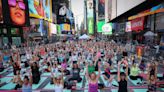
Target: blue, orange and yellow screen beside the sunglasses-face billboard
column 40, row 9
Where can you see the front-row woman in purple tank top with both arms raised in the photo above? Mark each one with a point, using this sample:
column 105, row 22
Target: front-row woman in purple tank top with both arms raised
column 93, row 79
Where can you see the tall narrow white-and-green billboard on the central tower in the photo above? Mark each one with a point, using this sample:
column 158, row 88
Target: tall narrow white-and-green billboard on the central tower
column 90, row 20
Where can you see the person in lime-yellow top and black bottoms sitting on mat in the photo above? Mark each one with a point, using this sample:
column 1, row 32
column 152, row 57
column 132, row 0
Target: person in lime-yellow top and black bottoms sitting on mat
column 134, row 72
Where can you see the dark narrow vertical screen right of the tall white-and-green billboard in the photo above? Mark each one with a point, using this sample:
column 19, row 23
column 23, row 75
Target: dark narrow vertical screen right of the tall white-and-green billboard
column 101, row 9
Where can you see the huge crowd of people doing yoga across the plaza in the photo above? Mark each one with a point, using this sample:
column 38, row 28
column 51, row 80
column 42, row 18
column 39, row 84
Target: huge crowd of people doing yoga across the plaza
column 69, row 59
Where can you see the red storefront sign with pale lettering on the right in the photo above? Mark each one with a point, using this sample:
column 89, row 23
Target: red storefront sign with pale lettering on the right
column 137, row 24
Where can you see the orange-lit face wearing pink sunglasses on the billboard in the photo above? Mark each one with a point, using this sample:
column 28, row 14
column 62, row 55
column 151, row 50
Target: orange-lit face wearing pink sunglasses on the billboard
column 17, row 11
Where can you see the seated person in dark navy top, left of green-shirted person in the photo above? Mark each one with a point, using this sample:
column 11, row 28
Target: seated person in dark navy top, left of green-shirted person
column 75, row 73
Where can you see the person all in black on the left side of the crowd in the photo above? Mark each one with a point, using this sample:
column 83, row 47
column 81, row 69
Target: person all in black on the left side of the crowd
column 35, row 73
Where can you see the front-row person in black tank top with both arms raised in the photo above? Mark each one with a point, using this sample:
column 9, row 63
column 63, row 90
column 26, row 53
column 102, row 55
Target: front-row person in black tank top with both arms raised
column 122, row 77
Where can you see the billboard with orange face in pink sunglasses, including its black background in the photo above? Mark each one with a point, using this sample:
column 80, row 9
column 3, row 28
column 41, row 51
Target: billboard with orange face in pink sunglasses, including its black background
column 15, row 12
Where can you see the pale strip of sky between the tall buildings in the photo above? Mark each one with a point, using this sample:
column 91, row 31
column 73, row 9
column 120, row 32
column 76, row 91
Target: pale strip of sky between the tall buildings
column 78, row 10
